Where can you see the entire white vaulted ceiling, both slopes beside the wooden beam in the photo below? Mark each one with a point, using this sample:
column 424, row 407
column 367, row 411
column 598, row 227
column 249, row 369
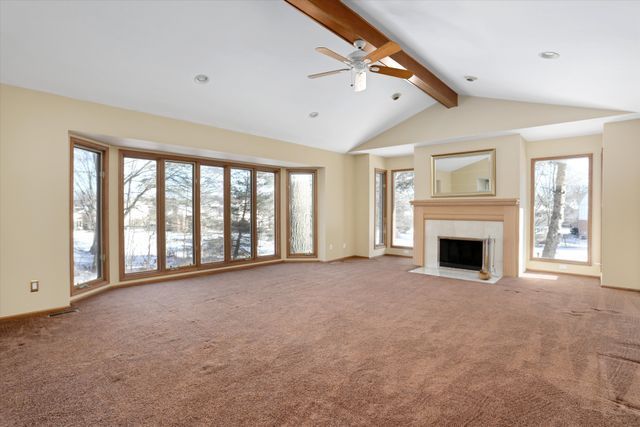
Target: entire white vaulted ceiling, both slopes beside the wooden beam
column 143, row 56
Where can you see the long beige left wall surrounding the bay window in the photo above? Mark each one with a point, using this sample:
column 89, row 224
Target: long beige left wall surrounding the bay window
column 34, row 185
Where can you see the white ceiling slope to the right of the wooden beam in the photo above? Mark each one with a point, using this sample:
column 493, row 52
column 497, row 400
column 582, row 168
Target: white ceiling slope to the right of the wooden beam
column 499, row 42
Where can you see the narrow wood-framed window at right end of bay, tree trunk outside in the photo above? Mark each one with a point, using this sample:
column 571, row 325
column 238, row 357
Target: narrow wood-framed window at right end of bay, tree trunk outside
column 301, row 221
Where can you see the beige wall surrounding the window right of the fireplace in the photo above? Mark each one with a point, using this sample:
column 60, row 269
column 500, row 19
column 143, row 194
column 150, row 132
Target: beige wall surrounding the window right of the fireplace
column 591, row 144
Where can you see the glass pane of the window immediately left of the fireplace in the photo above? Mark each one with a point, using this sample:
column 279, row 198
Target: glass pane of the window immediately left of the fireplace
column 402, row 227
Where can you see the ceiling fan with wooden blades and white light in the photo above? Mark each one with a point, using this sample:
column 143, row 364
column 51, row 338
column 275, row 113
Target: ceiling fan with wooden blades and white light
column 359, row 62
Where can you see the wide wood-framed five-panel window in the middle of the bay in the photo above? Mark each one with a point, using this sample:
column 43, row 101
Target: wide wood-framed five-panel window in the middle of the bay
column 182, row 213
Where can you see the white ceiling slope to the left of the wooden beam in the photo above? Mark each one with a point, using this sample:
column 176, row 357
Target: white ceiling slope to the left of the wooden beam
column 143, row 55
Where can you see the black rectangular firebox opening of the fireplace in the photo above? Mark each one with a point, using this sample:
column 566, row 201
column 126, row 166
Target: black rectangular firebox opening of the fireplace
column 463, row 253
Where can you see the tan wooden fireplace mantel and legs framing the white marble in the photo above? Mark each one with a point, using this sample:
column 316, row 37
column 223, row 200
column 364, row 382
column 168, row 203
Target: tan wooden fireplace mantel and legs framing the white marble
column 477, row 209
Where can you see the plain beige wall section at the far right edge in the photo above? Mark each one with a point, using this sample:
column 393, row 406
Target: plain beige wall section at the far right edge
column 621, row 205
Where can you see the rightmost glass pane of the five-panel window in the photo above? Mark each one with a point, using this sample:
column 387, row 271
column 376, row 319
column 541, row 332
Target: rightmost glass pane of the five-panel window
column 266, row 212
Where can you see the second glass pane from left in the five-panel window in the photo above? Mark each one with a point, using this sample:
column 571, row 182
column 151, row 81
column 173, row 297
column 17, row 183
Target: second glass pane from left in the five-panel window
column 178, row 208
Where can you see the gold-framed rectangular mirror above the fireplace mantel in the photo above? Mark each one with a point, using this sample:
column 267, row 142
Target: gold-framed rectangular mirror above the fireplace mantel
column 472, row 173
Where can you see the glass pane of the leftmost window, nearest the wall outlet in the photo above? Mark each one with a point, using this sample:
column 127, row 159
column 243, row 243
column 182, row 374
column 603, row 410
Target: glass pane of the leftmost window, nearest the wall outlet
column 87, row 207
